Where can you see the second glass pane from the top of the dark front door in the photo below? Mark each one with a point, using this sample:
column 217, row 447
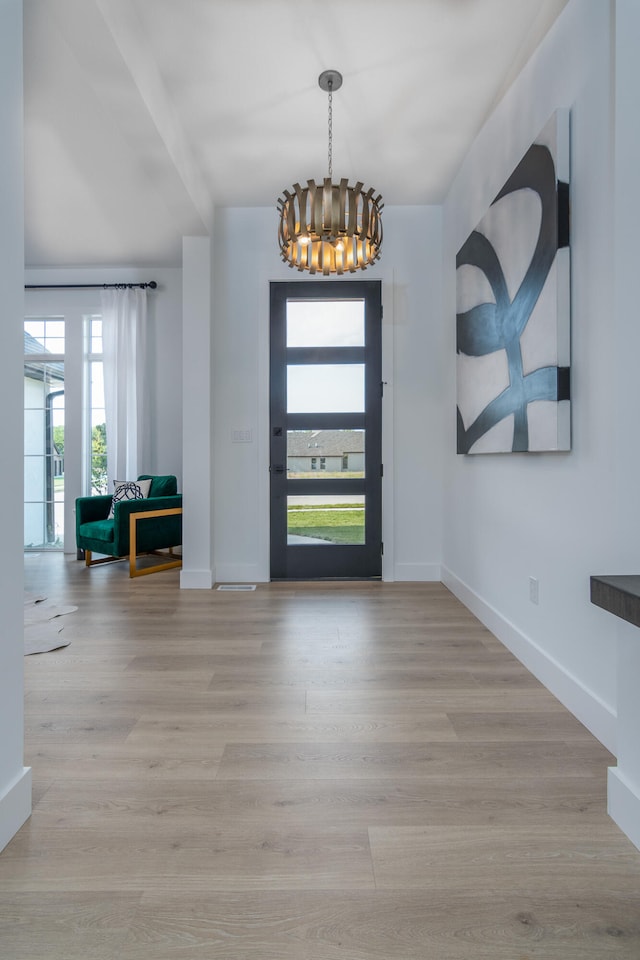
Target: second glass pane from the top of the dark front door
column 325, row 388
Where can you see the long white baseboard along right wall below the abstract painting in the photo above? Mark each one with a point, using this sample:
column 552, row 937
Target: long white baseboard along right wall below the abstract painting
column 596, row 715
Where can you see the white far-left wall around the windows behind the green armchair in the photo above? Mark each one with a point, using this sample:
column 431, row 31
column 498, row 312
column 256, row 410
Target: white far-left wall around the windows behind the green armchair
column 164, row 310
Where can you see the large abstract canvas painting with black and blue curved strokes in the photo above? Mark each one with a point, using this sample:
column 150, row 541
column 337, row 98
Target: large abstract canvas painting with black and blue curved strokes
column 513, row 309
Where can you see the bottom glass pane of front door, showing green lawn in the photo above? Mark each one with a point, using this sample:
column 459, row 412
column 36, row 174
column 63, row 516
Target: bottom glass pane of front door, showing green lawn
column 330, row 519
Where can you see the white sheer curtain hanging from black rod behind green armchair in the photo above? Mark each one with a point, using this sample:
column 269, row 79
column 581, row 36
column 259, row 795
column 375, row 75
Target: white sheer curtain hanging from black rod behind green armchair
column 124, row 336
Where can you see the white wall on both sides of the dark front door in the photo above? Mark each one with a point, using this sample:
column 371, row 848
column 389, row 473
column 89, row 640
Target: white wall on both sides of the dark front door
column 247, row 258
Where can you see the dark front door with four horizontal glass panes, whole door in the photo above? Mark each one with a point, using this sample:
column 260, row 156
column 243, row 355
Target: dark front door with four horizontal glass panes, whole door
column 325, row 422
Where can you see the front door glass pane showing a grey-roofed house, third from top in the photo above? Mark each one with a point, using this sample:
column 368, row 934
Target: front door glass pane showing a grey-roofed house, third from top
column 325, row 454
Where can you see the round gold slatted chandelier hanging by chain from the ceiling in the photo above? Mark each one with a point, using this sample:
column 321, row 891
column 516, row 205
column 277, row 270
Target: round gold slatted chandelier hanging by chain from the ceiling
column 330, row 227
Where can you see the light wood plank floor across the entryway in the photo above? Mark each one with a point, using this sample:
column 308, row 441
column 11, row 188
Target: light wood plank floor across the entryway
column 355, row 771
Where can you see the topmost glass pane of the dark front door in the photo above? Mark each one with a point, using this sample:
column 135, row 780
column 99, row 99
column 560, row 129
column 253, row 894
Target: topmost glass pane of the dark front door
column 325, row 323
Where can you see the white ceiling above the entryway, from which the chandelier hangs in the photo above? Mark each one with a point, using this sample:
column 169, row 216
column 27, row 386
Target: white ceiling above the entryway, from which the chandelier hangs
column 141, row 115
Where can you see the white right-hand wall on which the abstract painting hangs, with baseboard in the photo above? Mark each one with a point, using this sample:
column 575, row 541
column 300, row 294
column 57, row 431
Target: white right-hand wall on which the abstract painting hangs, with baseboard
column 549, row 516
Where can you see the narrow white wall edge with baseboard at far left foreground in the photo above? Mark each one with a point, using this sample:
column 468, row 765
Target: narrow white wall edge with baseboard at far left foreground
column 15, row 779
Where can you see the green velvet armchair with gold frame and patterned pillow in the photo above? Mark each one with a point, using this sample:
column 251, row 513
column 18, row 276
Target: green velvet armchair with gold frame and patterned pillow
column 137, row 527
